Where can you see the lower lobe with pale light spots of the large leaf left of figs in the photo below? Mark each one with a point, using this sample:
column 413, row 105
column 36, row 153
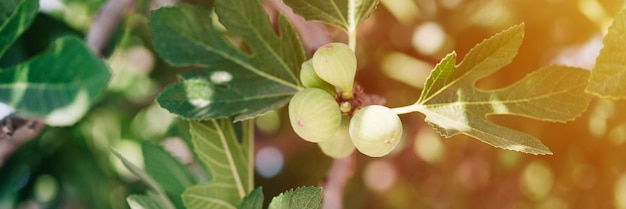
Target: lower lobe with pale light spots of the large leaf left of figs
column 217, row 93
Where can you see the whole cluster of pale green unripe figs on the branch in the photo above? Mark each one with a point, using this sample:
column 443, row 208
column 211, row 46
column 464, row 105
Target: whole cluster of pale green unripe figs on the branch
column 320, row 113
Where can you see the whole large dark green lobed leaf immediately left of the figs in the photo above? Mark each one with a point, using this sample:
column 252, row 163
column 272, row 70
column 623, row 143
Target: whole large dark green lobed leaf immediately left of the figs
column 230, row 82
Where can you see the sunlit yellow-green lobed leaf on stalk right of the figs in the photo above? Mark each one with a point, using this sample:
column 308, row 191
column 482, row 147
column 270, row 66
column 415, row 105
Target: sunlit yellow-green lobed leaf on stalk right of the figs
column 452, row 103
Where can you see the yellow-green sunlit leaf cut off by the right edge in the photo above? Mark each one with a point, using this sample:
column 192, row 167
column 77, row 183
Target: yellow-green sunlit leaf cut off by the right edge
column 608, row 77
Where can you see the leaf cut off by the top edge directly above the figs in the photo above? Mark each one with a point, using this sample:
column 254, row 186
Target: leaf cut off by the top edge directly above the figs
column 346, row 14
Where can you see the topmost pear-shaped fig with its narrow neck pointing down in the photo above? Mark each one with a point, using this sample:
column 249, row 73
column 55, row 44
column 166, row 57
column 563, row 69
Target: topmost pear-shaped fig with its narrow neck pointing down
column 335, row 63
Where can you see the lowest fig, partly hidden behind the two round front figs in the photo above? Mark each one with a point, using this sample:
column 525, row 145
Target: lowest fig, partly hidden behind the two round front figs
column 339, row 145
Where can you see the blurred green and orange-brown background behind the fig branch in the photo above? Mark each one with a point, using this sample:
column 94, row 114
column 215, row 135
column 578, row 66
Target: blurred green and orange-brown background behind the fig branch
column 399, row 44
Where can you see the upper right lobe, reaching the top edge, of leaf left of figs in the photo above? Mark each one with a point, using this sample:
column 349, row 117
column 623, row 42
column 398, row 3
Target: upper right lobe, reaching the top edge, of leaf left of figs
column 277, row 56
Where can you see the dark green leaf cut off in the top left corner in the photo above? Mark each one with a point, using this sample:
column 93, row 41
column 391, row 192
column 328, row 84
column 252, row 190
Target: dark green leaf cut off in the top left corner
column 15, row 17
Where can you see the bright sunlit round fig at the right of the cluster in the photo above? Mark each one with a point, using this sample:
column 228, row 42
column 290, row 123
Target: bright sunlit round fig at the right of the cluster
column 375, row 130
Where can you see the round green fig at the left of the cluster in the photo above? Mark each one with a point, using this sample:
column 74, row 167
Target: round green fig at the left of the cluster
column 314, row 114
